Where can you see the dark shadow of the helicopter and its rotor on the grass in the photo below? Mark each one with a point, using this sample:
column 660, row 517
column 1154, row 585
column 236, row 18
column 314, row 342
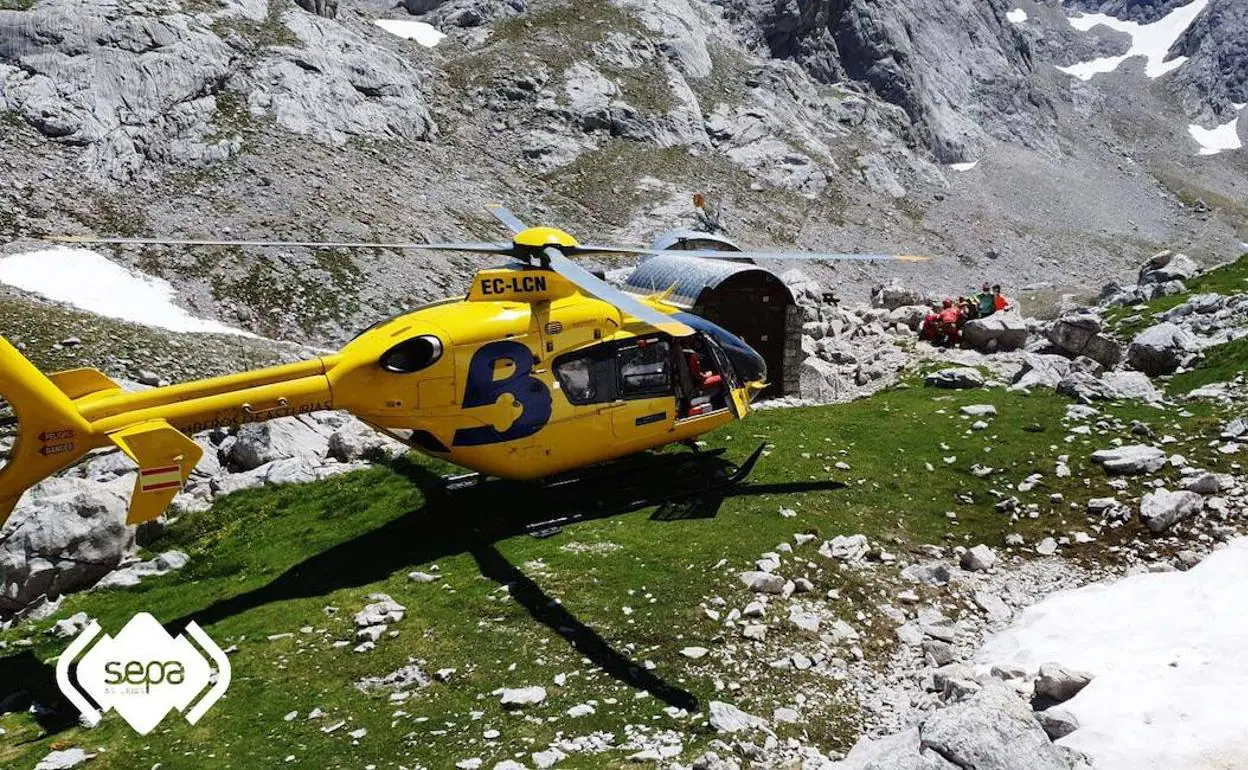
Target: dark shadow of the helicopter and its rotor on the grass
column 471, row 521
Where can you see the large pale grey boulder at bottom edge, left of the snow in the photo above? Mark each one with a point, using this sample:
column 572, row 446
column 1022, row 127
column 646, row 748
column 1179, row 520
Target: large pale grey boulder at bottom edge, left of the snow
column 993, row 729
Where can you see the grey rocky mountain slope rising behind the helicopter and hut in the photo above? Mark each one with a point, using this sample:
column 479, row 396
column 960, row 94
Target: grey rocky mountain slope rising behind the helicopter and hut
column 816, row 124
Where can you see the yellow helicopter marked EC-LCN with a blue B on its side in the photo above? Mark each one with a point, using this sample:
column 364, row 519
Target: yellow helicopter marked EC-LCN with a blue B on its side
column 540, row 370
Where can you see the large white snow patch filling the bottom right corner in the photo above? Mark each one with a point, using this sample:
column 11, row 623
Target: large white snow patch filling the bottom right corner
column 1166, row 651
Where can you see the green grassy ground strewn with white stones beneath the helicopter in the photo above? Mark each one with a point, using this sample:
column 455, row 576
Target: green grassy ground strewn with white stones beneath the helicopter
column 270, row 561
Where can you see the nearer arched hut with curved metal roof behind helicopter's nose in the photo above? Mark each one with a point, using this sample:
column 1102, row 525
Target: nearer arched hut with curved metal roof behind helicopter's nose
column 744, row 299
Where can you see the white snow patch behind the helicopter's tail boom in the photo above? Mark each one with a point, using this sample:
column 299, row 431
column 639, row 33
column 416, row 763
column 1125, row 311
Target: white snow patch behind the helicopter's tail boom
column 92, row 283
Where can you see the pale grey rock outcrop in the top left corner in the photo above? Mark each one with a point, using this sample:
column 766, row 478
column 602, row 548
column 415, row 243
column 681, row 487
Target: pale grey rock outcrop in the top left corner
column 78, row 85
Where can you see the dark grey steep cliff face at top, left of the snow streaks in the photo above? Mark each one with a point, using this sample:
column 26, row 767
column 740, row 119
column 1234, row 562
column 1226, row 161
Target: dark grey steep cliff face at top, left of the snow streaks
column 903, row 52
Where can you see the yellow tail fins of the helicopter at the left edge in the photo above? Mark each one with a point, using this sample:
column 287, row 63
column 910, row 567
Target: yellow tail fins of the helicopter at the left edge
column 43, row 431
